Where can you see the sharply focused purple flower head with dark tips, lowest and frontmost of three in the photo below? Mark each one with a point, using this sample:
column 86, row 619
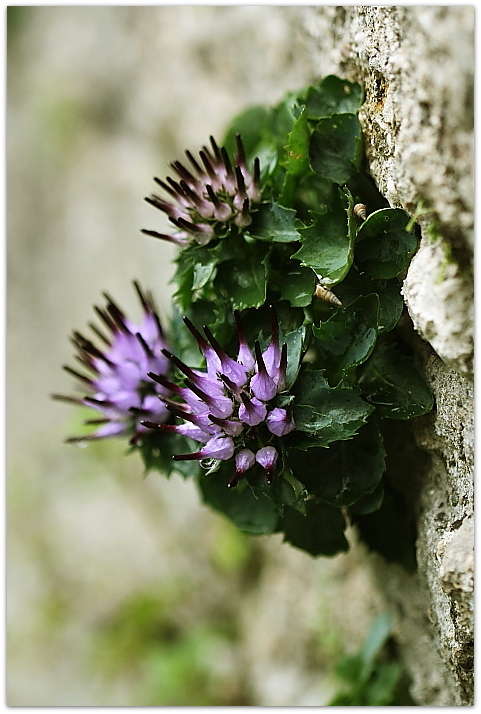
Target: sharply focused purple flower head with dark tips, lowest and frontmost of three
column 228, row 407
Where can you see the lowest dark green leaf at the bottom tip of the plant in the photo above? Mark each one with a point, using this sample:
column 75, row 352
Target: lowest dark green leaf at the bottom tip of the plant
column 319, row 532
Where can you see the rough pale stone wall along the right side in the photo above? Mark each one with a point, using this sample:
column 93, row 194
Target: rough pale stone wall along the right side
column 418, row 128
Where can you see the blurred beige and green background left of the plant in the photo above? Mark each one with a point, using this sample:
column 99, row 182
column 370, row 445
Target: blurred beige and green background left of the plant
column 125, row 590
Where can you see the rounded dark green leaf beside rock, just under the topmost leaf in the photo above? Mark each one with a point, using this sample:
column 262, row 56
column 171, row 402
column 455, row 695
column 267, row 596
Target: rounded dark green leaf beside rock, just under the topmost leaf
column 335, row 149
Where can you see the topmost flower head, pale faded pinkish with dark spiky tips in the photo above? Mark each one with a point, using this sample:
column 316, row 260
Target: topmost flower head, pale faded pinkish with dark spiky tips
column 208, row 194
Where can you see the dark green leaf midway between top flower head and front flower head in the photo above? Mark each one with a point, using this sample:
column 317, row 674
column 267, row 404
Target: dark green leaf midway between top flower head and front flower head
column 243, row 283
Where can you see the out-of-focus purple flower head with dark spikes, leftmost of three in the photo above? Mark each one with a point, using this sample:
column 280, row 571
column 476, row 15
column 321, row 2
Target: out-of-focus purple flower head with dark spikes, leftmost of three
column 116, row 379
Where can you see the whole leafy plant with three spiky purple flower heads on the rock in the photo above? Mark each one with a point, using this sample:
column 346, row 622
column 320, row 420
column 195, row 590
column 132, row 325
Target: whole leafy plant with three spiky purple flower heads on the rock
column 281, row 361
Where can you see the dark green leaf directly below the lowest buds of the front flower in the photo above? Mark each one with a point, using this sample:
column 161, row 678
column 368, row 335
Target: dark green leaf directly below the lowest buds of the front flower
column 251, row 514
